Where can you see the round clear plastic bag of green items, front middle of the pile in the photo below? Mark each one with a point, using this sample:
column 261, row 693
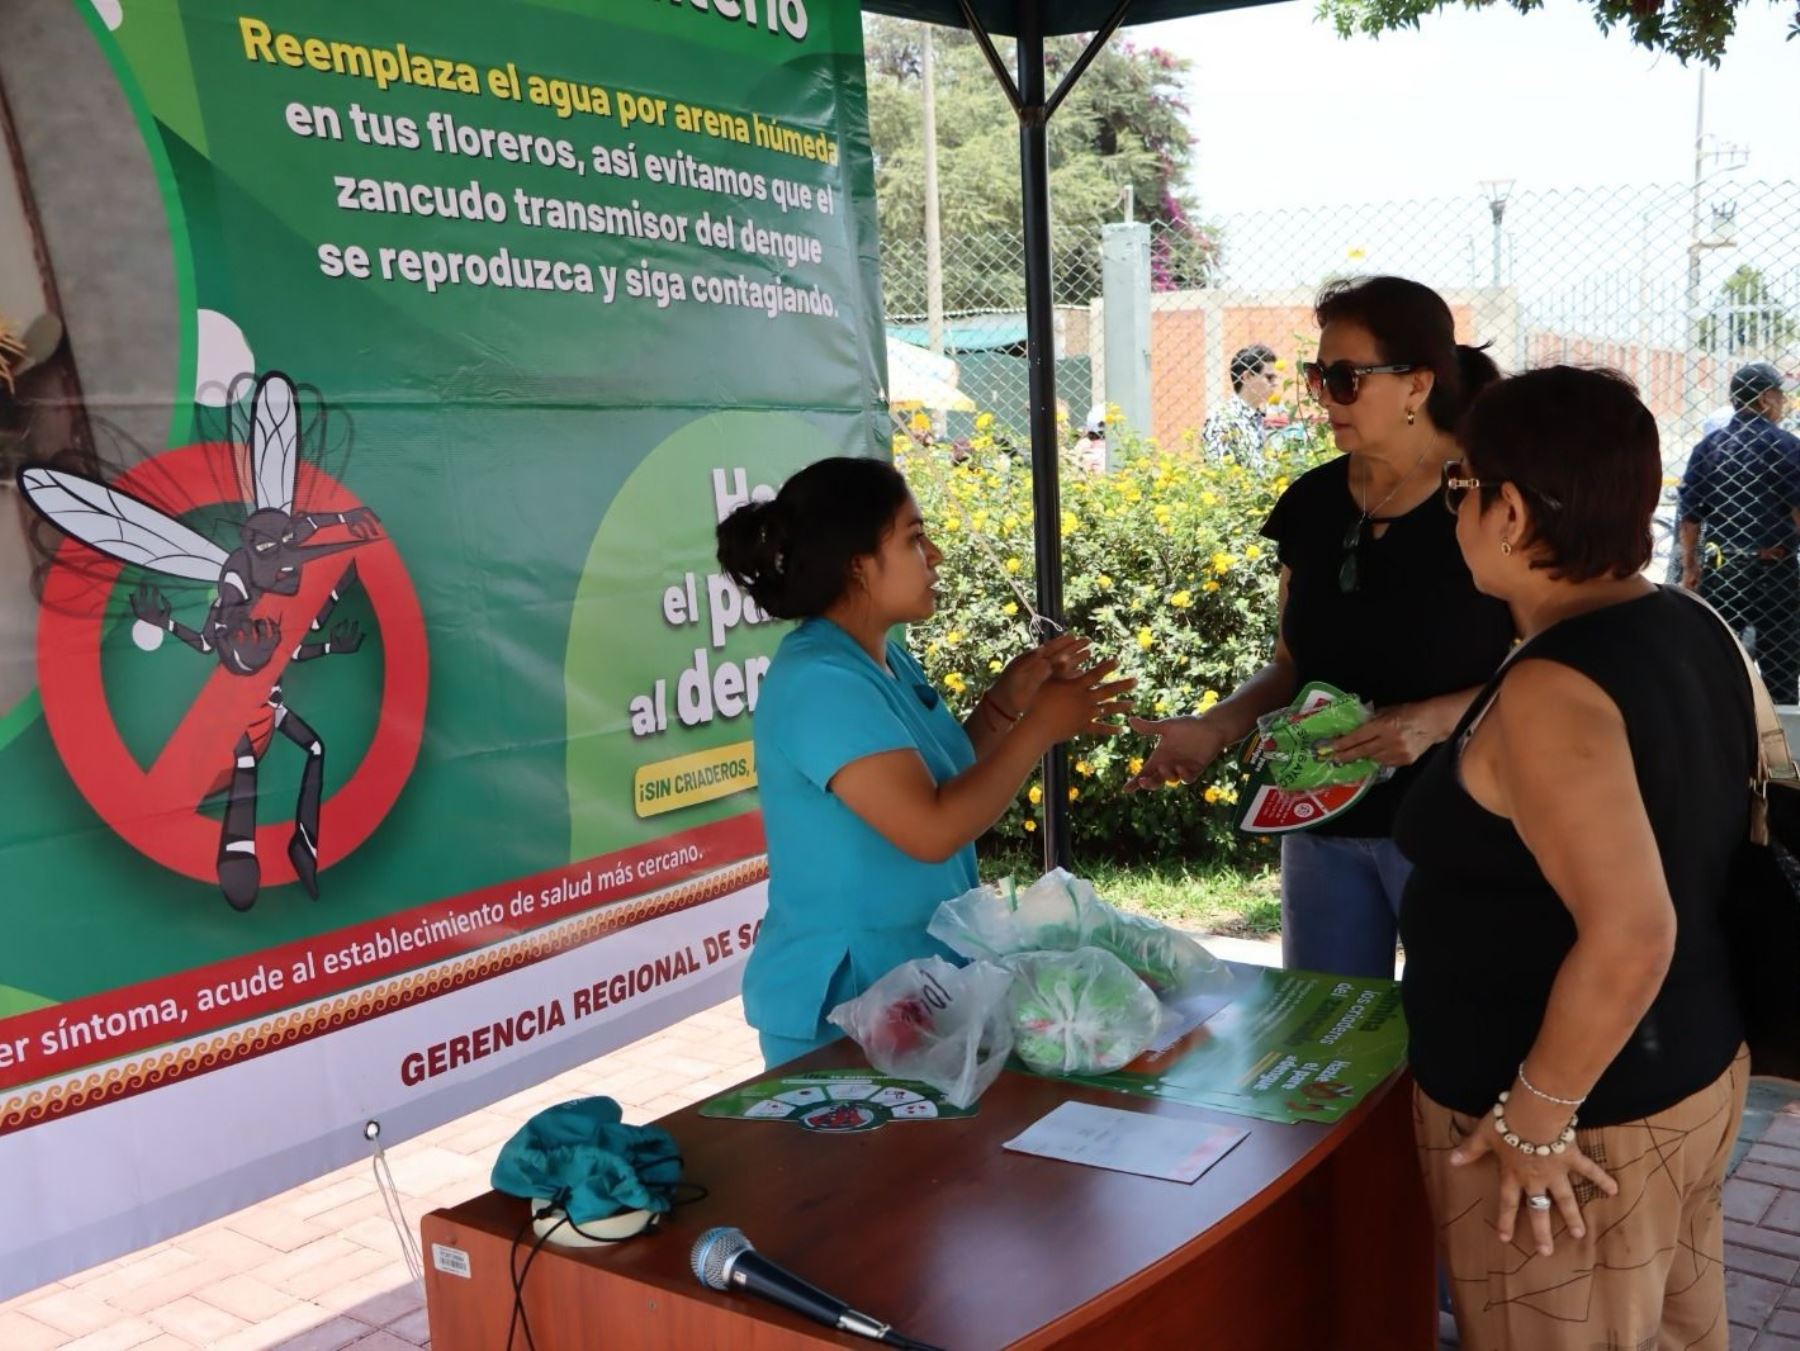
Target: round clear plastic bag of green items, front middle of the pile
column 1079, row 1012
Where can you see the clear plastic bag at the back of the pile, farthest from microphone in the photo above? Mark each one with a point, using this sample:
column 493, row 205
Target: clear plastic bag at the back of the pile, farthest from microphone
column 1061, row 913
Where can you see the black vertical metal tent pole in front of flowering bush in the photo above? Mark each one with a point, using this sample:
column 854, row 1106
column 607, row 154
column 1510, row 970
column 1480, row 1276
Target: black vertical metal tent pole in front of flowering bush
column 1041, row 346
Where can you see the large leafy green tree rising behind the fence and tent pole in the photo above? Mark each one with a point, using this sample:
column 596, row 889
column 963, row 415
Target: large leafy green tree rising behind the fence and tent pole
column 1122, row 127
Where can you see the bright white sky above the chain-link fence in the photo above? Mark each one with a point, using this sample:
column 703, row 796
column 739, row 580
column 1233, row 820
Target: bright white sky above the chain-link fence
column 1288, row 114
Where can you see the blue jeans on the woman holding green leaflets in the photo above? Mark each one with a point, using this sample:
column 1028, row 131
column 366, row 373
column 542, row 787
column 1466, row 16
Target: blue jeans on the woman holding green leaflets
column 1342, row 904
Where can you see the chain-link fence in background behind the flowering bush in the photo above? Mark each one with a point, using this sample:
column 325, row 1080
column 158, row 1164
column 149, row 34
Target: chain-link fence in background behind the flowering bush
column 1677, row 287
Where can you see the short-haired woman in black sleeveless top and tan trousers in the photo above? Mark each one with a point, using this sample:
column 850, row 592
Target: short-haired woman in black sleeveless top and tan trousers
column 1565, row 954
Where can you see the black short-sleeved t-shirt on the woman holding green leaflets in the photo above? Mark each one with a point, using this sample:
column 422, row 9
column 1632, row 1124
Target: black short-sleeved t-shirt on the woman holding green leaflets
column 1414, row 629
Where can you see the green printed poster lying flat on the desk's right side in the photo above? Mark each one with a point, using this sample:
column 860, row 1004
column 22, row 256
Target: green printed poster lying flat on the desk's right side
column 1293, row 1046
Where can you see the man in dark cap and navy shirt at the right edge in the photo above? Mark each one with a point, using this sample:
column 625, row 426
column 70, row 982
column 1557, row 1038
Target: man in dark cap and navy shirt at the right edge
column 1741, row 524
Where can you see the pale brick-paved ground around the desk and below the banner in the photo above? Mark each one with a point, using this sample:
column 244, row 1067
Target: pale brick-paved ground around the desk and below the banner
column 319, row 1269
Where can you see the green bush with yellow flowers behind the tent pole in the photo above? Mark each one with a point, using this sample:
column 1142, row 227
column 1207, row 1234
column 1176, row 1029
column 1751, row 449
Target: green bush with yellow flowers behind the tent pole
column 1164, row 568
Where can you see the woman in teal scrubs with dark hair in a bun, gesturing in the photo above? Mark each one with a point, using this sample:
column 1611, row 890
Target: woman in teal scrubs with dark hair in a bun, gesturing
column 874, row 796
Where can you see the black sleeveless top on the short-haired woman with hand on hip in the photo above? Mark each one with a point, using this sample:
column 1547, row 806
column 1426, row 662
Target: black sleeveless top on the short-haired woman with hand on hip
column 1486, row 933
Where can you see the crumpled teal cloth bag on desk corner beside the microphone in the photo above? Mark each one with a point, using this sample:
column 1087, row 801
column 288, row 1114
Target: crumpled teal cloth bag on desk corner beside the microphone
column 584, row 1168
